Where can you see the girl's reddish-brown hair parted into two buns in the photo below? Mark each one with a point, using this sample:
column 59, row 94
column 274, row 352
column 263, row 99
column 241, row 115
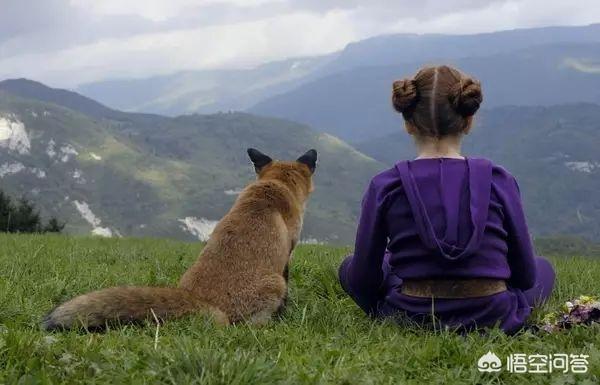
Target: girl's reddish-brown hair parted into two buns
column 438, row 101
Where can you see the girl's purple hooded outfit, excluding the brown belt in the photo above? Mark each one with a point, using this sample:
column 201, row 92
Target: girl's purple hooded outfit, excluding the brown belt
column 447, row 218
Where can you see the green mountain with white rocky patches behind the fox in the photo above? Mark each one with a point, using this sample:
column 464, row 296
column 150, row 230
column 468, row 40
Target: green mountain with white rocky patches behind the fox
column 116, row 173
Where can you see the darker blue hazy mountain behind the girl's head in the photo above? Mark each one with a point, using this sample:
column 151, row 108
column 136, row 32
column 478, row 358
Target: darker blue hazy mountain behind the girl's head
column 355, row 104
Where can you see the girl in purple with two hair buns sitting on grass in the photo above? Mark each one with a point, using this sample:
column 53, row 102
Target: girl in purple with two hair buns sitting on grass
column 444, row 236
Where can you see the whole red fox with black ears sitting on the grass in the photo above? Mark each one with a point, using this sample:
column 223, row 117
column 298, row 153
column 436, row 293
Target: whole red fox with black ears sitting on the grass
column 240, row 275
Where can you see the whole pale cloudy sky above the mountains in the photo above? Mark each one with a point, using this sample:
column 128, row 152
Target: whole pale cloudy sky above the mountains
column 65, row 43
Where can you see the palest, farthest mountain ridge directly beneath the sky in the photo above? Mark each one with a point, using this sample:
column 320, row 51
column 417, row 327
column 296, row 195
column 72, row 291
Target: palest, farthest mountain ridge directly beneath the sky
column 224, row 90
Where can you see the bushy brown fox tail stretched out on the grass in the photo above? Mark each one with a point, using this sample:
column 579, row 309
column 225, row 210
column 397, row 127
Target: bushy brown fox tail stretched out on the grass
column 126, row 304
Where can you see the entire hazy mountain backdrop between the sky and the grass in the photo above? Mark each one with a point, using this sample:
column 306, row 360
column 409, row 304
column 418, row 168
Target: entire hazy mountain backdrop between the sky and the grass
column 109, row 171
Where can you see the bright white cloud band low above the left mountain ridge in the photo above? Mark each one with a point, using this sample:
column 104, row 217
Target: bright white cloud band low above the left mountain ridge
column 235, row 45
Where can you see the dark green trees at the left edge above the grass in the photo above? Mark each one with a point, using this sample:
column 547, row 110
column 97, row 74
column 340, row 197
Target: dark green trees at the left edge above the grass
column 22, row 217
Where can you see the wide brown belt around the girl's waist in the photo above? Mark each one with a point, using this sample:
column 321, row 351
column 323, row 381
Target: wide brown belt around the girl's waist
column 452, row 288
